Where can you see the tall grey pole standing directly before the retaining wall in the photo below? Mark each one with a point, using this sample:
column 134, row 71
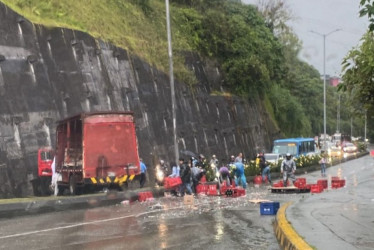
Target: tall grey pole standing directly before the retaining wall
column 173, row 102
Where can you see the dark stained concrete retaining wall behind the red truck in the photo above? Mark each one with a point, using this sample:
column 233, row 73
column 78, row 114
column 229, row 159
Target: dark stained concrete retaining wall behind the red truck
column 47, row 74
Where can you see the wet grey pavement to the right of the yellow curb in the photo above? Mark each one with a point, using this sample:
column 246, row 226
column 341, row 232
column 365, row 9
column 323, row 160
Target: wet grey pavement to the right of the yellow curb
column 339, row 218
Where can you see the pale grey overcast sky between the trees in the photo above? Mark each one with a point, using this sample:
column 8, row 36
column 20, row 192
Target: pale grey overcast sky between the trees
column 324, row 16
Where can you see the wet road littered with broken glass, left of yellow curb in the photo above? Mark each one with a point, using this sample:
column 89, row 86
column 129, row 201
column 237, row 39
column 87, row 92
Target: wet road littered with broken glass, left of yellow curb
column 164, row 223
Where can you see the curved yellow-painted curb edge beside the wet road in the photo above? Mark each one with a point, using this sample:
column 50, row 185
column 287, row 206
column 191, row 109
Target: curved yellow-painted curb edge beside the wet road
column 287, row 237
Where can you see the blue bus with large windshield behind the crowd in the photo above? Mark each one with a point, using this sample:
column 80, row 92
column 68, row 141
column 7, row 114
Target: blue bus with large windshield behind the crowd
column 295, row 146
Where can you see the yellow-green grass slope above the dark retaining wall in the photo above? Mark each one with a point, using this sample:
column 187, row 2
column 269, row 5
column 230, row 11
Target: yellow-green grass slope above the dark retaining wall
column 125, row 23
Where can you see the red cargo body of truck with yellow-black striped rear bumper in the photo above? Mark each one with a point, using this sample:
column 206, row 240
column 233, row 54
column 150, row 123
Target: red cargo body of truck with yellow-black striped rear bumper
column 96, row 150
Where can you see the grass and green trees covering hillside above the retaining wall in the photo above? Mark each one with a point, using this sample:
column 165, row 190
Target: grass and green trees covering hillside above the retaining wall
column 256, row 51
